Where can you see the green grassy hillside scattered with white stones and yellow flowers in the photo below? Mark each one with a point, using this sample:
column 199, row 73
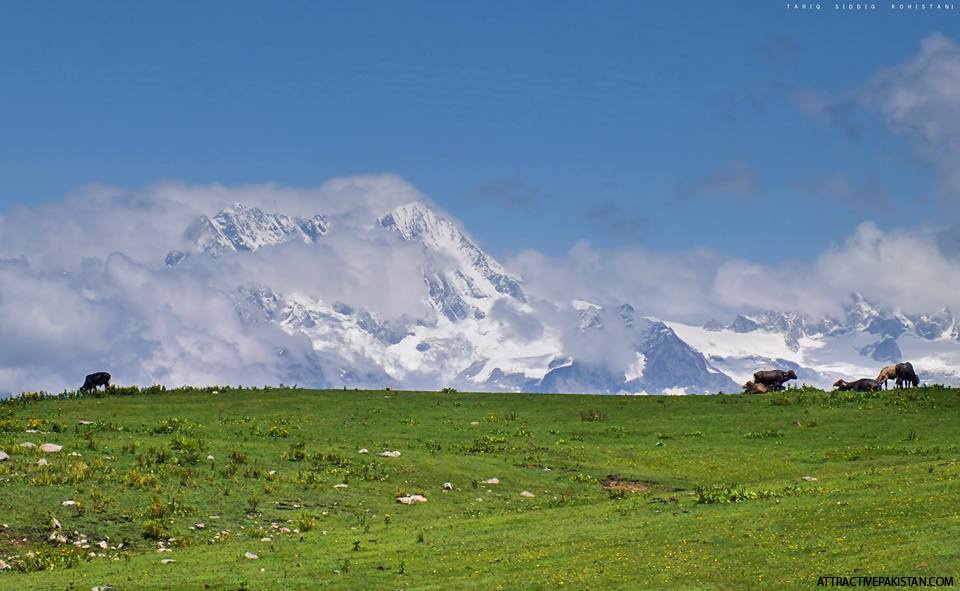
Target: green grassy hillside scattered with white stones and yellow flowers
column 710, row 491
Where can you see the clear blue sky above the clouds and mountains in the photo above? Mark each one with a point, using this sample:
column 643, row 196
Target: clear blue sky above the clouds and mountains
column 538, row 124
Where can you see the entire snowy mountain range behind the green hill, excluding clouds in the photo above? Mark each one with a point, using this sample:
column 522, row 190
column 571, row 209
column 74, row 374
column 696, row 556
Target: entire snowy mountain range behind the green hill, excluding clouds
column 483, row 332
